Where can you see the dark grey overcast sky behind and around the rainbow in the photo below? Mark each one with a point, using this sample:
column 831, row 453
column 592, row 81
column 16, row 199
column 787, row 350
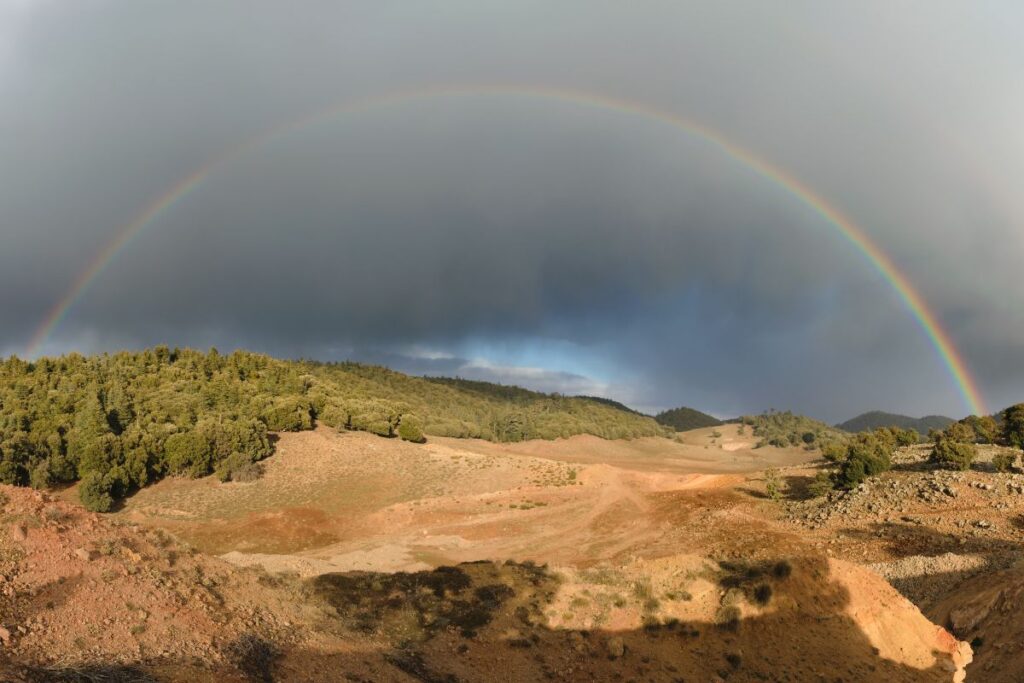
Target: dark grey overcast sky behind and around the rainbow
column 526, row 240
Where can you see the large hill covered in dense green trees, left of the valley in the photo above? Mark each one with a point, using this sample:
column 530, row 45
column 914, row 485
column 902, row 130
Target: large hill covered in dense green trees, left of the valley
column 118, row 422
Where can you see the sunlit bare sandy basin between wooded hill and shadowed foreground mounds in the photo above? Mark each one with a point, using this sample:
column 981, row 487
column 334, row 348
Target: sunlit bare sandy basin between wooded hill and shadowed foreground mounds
column 339, row 502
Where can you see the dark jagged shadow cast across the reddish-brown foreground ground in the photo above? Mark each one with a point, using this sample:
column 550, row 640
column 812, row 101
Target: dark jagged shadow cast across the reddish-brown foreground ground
column 778, row 621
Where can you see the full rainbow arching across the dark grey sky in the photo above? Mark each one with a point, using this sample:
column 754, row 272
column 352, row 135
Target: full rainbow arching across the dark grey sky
column 914, row 303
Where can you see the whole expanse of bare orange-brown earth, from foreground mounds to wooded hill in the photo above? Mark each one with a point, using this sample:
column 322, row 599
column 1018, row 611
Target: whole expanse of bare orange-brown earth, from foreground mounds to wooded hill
column 580, row 560
